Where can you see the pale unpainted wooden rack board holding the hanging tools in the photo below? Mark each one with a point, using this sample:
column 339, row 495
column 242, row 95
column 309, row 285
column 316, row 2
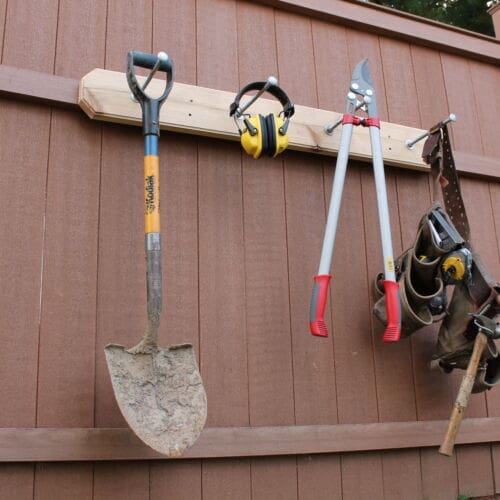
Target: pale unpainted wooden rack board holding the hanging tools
column 104, row 95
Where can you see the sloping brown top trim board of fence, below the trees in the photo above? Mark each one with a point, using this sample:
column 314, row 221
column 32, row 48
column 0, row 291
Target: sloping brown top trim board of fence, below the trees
column 369, row 17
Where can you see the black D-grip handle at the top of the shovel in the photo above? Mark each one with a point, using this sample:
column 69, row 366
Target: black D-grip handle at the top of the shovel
column 150, row 105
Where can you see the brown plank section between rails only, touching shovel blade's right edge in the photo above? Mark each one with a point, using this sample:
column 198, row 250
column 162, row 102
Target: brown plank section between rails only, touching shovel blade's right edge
column 222, row 300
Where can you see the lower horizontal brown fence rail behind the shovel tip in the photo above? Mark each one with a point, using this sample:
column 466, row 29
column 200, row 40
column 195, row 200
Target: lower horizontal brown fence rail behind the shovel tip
column 77, row 444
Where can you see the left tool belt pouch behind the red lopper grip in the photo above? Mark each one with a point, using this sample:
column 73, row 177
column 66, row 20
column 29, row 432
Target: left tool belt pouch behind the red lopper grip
column 421, row 289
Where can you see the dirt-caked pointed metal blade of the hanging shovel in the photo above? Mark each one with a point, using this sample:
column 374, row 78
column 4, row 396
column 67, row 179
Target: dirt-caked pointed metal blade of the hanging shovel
column 160, row 395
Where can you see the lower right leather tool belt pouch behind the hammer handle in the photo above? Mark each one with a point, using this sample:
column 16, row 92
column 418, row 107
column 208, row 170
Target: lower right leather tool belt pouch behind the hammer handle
column 456, row 341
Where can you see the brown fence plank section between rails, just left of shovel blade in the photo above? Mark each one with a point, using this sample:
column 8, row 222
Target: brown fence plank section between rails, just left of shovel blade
column 67, row 330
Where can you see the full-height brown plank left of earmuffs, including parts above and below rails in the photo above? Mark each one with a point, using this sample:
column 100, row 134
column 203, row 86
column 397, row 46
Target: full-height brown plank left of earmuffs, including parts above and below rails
column 221, row 249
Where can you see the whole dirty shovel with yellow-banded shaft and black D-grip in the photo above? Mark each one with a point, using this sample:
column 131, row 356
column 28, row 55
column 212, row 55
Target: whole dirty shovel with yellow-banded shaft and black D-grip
column 159, row 391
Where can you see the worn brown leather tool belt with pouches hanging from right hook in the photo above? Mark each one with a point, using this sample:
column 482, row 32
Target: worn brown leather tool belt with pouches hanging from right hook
column 442, row 255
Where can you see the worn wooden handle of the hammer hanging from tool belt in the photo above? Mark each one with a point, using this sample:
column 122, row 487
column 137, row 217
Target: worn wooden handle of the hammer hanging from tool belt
column 463, row 396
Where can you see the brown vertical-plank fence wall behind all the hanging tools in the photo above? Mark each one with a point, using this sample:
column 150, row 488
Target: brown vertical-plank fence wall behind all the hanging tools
column 242, row 242
